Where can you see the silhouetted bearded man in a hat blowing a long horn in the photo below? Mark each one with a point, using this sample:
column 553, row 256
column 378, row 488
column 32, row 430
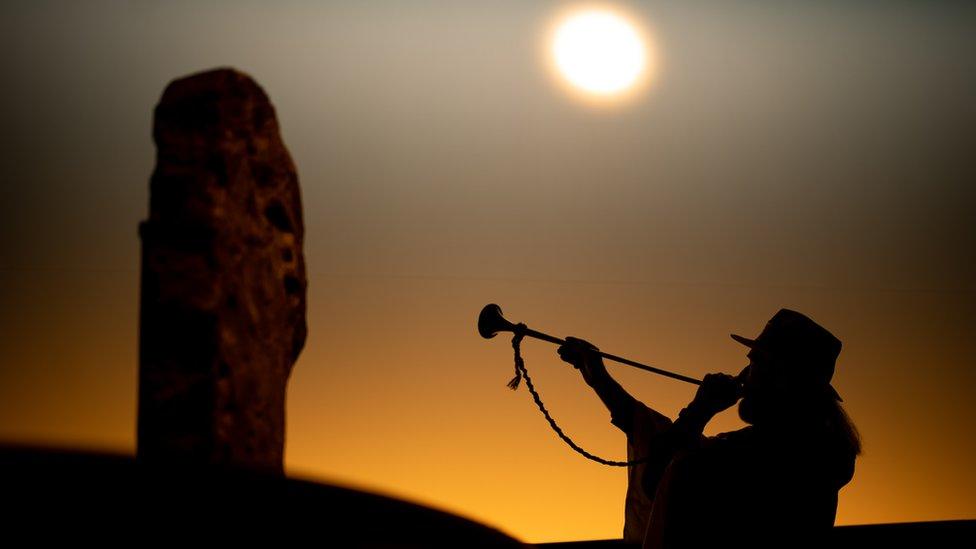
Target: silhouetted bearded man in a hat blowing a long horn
column 773, row 483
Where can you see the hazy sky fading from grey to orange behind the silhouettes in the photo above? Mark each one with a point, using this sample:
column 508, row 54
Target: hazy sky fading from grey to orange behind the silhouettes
column 811, row 155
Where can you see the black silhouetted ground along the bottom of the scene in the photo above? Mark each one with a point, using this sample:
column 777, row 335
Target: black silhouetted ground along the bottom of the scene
column 63, row 495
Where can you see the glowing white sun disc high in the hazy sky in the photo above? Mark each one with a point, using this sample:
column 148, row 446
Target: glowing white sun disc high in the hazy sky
column 599, row 52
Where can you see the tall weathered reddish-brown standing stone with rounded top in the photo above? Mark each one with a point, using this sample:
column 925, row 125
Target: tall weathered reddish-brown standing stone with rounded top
column 223, row 277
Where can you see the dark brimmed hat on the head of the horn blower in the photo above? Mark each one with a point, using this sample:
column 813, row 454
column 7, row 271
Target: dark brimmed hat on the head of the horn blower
column 799, row 343
